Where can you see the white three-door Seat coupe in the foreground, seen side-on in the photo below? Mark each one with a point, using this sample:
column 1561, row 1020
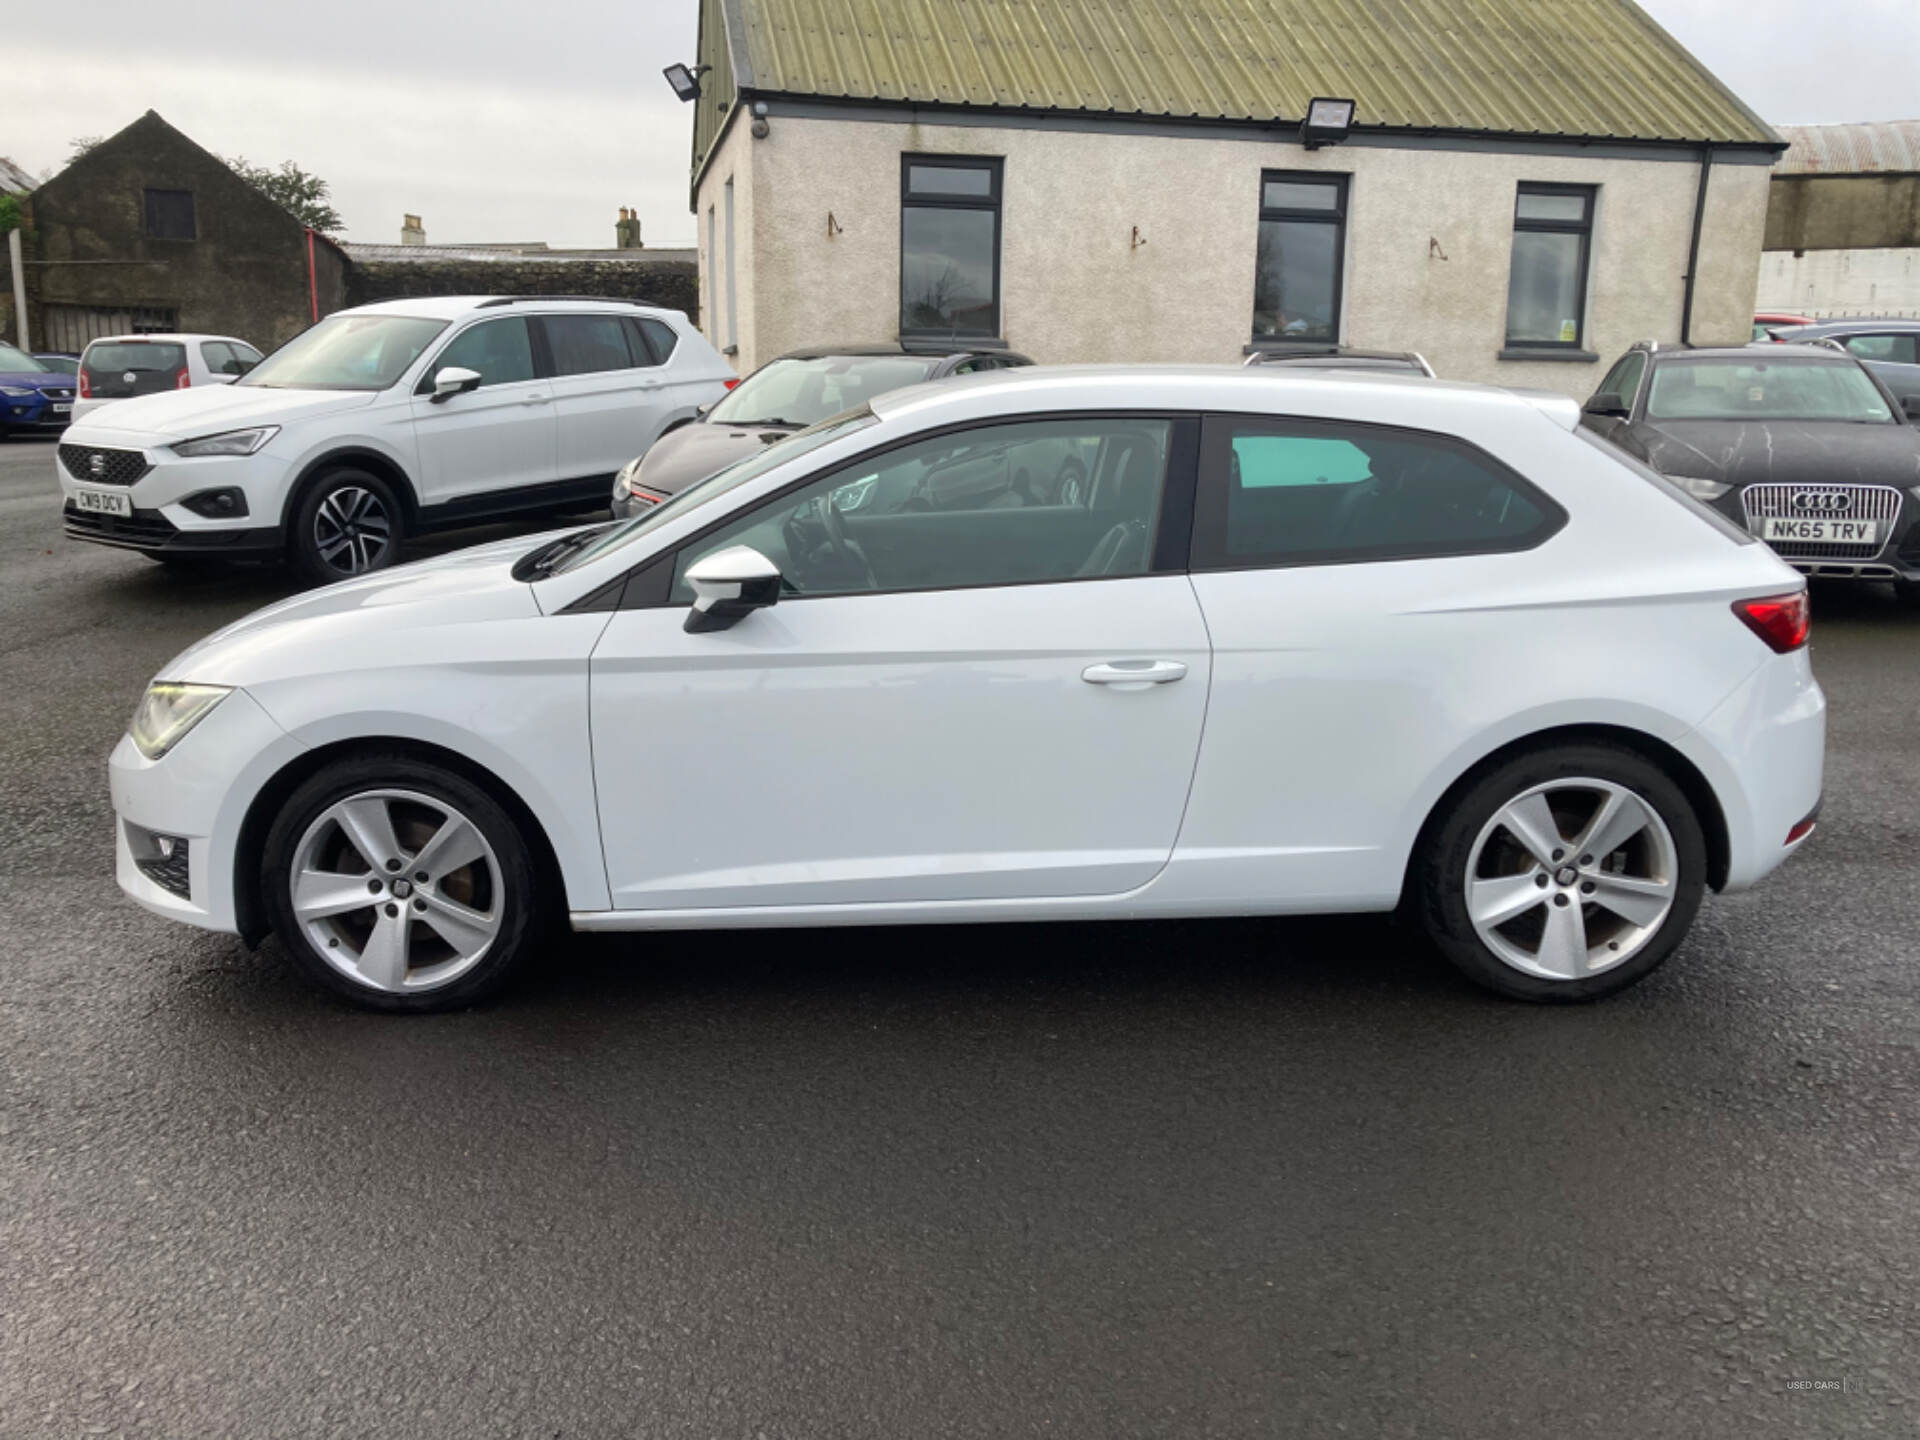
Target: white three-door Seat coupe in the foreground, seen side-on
column 1303, row 644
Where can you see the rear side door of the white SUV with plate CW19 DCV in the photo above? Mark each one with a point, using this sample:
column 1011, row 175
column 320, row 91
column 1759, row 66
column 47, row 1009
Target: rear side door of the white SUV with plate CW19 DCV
column 610, row 395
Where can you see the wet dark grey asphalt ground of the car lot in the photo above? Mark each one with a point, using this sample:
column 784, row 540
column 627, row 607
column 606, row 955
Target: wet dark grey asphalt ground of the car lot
column 1157, row 1180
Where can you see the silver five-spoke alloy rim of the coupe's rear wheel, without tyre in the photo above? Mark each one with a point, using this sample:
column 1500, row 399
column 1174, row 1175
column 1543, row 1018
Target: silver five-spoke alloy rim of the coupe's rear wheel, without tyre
column 1572, row 878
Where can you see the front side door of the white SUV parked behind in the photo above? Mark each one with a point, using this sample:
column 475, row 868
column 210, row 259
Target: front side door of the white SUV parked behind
column 496, row 437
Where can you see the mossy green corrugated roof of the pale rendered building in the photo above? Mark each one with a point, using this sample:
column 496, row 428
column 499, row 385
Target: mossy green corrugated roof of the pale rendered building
column 1550, row 68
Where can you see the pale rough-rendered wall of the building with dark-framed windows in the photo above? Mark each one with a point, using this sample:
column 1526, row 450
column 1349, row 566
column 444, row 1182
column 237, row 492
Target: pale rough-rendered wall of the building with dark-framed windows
column 1428, row 243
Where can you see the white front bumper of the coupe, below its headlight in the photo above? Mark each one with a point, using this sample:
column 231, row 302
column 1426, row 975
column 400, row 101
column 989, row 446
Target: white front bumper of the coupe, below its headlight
column 199, row 792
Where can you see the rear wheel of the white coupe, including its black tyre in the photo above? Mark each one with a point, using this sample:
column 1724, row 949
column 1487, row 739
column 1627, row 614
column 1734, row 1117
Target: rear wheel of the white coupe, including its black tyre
column 1564, row 875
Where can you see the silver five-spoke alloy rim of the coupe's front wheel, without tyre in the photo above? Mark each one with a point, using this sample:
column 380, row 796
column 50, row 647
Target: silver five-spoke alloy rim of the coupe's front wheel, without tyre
column 398, row 892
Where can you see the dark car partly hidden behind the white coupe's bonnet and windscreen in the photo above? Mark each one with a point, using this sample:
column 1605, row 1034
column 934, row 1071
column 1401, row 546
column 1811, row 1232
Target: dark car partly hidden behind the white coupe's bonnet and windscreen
column 786, row 395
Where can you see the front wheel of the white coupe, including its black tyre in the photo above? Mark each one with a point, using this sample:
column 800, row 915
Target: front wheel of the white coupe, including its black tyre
column 402, row 886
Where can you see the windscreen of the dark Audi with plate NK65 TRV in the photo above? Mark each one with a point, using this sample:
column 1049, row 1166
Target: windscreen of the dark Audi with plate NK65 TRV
column 1765, row 391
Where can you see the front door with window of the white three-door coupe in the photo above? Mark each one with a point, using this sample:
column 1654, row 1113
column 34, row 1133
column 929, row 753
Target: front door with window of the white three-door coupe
column 948, row 706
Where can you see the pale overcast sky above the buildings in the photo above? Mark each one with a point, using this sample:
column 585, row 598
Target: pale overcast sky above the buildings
column 516, row 122
